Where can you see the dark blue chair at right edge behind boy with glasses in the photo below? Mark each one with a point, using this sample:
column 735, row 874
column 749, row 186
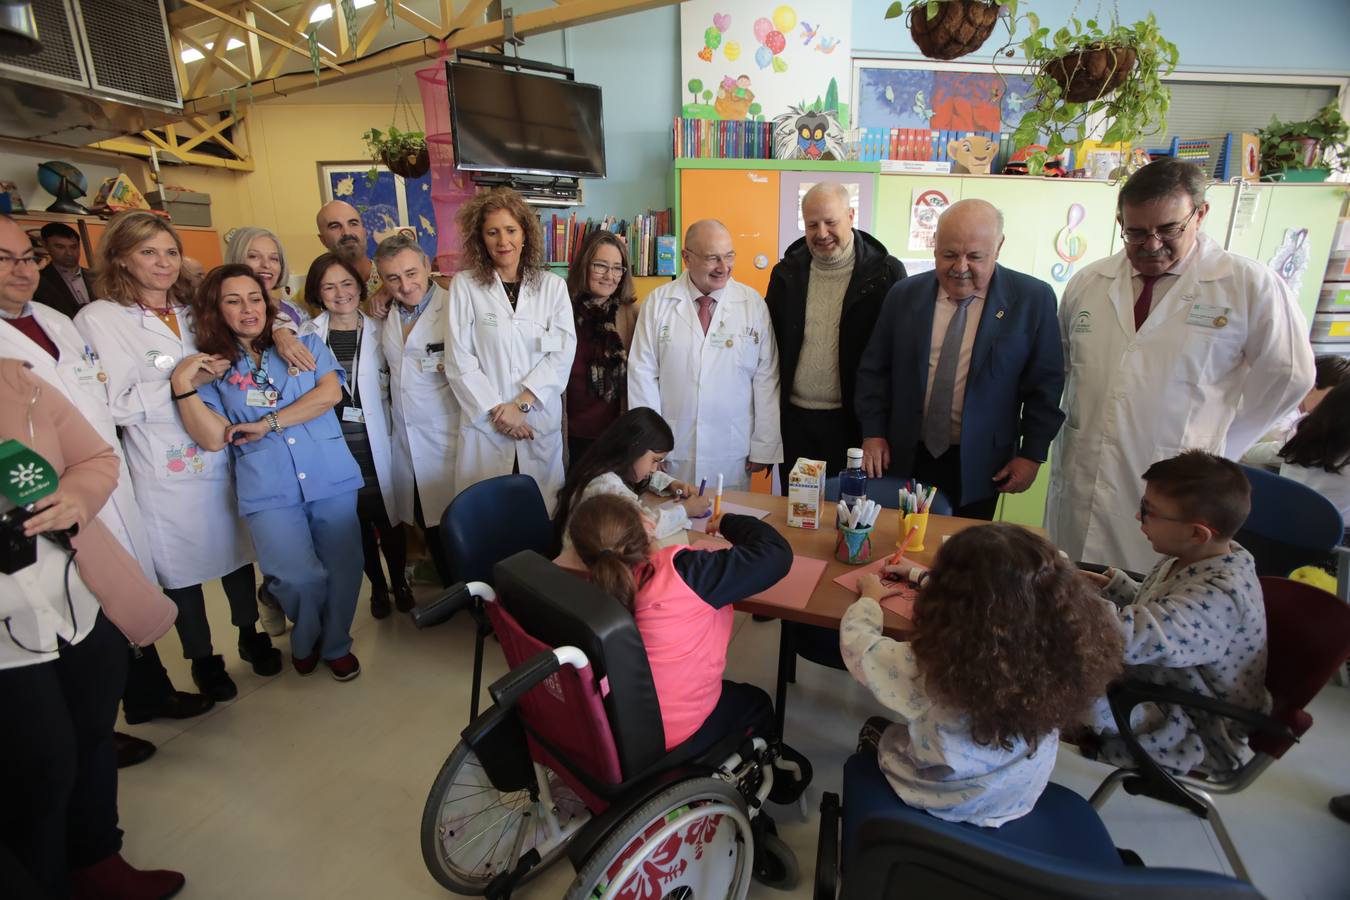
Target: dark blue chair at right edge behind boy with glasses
column 1293, row 526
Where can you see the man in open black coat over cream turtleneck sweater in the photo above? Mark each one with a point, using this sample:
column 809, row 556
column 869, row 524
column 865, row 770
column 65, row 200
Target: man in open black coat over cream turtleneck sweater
column 824, row 299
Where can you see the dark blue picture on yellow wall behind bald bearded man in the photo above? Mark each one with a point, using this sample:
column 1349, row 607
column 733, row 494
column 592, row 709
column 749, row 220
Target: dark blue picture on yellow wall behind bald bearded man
column 387, row 204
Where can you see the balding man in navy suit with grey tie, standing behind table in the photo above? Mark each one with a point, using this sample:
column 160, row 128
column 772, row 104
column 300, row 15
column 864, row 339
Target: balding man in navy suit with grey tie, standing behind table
column 961, row 384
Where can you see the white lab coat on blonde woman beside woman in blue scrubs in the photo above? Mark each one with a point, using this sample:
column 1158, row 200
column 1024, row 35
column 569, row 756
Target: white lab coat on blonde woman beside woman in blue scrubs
column 187, row 495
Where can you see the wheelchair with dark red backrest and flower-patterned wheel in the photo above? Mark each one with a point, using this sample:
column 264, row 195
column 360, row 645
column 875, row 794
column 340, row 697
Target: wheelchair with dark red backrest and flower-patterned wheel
column 572, row 760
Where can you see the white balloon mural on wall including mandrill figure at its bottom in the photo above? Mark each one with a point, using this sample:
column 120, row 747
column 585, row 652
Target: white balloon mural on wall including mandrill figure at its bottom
column 769, row 60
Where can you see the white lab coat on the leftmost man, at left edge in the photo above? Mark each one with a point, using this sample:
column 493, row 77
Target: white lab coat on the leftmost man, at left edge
column 84, row 384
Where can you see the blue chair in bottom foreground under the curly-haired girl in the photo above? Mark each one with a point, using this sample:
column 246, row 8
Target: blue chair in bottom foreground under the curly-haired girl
column 1060, row 849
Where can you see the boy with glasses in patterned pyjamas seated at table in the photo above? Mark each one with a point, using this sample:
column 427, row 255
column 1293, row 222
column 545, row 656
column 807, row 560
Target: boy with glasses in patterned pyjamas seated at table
column 1197, row 623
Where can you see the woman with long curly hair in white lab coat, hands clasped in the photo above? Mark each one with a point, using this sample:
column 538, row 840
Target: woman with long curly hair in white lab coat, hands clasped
column 510, row 347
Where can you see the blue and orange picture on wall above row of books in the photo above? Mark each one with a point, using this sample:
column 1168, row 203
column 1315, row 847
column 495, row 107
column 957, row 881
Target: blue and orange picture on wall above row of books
column 939, row 101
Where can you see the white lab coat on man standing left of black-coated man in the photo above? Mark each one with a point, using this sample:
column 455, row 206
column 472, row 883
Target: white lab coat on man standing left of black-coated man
column 720, row 391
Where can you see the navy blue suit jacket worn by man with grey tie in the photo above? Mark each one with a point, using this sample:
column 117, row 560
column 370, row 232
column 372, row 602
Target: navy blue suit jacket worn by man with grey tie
column 1012, row 391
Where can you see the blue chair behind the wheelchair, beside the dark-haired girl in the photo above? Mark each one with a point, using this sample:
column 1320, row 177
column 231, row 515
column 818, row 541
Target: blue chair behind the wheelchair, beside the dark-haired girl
column 485, row 524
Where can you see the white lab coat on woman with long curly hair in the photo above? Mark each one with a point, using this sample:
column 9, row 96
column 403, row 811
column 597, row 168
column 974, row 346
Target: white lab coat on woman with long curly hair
column 493, row 354
